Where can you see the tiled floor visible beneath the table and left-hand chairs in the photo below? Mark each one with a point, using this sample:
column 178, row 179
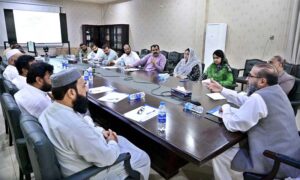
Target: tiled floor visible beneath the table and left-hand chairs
column 9, row 169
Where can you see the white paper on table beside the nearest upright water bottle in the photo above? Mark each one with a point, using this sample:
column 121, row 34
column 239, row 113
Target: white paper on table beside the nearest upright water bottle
column 147, row 113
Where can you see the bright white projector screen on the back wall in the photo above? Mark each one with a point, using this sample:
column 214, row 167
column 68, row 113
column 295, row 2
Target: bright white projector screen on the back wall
column 39, row 27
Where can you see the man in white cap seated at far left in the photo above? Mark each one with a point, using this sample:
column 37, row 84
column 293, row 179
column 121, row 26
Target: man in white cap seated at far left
column 11, row 71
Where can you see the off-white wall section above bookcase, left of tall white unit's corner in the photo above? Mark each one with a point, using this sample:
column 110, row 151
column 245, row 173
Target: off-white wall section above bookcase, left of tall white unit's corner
column 173, row 24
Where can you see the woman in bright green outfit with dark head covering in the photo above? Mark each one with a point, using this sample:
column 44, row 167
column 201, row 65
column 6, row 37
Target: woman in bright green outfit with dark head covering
column 220, row 70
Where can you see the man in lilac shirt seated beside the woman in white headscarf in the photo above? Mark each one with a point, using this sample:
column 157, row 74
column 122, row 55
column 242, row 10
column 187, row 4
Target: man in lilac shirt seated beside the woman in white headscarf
column 152, row 62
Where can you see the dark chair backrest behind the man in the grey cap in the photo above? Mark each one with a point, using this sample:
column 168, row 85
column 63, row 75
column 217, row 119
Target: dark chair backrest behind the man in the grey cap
column 41, row 151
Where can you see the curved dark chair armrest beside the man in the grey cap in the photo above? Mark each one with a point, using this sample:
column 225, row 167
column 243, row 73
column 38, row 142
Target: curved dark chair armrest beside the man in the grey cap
column 93, row 170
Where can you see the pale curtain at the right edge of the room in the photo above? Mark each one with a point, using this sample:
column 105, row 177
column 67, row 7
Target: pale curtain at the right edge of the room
column 293, row 44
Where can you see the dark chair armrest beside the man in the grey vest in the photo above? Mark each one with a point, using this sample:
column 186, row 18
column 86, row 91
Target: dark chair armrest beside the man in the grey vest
column 282, row 158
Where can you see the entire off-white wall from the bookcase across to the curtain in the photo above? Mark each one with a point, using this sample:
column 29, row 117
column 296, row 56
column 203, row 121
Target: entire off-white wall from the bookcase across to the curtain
column 177, row 24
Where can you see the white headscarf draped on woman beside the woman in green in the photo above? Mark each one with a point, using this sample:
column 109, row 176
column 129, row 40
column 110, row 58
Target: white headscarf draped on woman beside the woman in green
column 184, row 68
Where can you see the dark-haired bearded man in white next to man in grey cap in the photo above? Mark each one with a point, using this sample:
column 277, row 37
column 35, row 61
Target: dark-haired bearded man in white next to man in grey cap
column 33, row 97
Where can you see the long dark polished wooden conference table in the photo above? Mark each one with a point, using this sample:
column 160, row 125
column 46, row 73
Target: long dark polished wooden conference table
column 188, row 137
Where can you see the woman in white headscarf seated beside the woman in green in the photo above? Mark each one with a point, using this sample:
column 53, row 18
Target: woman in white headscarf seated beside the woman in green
column 189, row 67
